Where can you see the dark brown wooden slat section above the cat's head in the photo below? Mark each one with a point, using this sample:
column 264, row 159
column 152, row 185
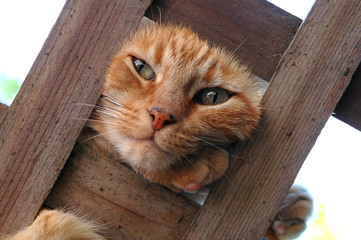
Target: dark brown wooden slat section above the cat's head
column 264, row 30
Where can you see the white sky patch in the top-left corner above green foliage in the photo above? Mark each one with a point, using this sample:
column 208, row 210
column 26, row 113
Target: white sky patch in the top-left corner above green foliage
column 24, row 27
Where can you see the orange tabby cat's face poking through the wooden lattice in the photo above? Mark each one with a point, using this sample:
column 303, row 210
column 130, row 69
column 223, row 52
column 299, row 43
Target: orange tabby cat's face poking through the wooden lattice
column 169, row 95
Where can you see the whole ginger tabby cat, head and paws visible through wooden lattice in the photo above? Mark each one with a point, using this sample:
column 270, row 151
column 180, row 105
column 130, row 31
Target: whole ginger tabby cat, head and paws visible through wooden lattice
column 171, row 107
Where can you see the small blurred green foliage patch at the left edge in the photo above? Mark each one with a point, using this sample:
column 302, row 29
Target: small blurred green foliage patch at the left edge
column 9, row 87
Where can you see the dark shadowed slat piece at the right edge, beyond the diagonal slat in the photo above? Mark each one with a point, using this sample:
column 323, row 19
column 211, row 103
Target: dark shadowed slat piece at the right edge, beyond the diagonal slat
column 349, row 107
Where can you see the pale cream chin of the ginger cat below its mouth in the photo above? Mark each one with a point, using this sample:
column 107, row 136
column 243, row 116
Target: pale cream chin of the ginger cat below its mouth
column 146, row 154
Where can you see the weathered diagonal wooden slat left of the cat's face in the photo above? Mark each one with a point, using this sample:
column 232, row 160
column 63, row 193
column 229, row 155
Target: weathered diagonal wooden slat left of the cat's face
column 39, row 130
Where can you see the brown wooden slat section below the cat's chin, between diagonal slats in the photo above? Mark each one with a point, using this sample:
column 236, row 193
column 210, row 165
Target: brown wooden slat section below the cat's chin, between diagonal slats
column 127, row 205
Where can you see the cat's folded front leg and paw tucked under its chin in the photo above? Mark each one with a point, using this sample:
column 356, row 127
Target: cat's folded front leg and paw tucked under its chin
column 192, row 172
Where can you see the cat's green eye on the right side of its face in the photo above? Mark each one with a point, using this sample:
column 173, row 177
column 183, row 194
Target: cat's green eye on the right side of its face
column 212, row 96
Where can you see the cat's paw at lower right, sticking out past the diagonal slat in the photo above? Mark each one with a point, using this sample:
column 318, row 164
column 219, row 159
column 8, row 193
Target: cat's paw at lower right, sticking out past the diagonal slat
column 295, row 210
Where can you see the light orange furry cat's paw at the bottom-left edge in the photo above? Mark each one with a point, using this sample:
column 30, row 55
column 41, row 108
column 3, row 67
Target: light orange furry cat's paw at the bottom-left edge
column 54, row 225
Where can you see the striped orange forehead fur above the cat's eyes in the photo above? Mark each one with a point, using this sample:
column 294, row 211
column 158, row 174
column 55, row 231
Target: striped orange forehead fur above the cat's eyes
column 174, row 51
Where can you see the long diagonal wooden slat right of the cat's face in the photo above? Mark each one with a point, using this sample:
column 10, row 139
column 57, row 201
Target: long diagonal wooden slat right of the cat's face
column 302, row 95
